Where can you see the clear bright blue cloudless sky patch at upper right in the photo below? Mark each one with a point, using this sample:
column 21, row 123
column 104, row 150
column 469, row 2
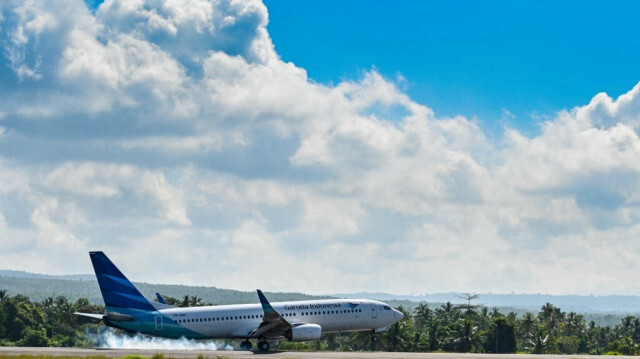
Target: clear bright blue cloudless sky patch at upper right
column 474, row 58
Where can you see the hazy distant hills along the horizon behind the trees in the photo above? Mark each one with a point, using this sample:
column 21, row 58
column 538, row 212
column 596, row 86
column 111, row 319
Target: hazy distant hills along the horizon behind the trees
column 604, row 310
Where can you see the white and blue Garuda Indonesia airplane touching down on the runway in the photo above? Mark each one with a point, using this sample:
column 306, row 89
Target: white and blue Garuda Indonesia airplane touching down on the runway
column 129, row 310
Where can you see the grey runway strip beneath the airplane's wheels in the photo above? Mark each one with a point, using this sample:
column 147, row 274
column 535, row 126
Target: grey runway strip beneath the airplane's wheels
column 220, row 354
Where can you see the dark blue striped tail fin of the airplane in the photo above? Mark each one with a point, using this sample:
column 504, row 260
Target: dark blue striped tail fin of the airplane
column 117, row 290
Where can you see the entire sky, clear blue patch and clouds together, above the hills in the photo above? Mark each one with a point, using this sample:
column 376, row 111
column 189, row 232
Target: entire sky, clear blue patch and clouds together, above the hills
column 328, row 146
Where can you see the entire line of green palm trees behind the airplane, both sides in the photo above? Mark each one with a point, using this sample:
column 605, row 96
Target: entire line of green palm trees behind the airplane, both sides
column 463, row 328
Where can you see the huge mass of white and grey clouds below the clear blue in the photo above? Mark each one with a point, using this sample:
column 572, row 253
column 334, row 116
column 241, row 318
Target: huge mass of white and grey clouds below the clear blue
column 173, row 129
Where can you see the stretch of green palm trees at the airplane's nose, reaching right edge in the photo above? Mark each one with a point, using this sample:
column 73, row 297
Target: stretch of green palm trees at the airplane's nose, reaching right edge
column 472, row 328
